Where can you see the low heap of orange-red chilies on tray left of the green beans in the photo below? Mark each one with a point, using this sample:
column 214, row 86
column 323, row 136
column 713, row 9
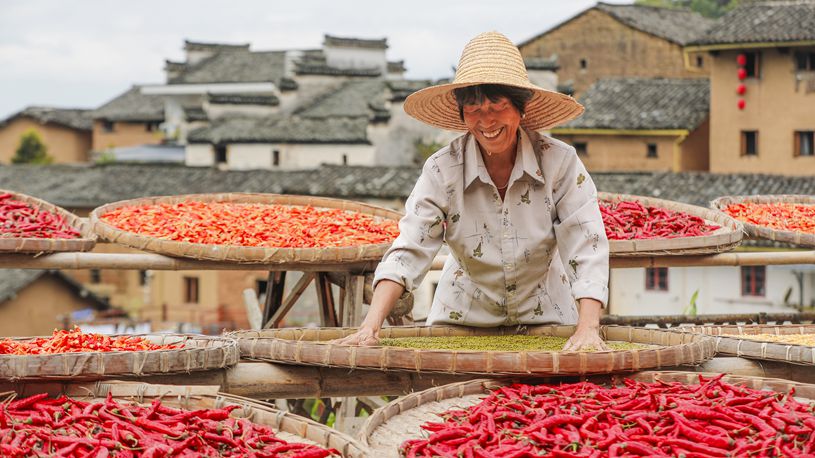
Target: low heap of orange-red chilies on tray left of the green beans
column 74, row 341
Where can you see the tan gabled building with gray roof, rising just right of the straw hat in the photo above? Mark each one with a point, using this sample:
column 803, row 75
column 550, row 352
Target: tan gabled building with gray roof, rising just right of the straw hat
column 609, row 40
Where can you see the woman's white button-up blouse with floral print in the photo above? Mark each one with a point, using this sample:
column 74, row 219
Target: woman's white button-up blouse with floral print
column 523, row 260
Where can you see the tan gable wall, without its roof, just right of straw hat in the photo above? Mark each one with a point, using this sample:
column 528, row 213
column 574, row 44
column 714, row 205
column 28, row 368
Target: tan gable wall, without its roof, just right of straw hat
column 609, row 48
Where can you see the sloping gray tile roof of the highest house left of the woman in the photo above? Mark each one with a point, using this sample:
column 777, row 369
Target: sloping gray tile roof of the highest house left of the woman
column 236, row 66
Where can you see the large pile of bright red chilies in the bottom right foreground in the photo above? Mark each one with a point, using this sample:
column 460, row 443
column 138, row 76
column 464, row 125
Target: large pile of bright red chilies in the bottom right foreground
column 660, row 419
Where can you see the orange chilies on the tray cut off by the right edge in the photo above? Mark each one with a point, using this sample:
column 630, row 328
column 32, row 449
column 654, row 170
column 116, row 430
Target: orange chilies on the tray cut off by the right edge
column 781, row 216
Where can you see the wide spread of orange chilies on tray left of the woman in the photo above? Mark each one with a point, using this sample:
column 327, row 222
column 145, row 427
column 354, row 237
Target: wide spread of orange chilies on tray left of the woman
column 254, row 225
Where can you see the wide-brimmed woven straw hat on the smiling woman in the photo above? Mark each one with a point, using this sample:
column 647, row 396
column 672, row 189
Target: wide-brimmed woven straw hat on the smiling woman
column 490, row 58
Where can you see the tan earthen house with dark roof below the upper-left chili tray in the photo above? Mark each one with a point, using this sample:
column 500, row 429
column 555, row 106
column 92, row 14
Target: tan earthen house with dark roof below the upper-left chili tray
column 35, row 302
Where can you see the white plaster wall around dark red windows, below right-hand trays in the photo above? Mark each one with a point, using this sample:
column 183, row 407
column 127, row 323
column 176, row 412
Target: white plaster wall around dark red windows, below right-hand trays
column 719, row 291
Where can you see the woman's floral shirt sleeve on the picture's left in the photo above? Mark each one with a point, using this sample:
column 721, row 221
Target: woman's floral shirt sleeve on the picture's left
column 421, row 232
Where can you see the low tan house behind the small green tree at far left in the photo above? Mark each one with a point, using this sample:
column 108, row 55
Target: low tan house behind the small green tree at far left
column 65, row 132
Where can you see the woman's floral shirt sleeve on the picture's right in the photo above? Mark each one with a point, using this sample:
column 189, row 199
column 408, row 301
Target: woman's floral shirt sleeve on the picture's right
column 579, row 229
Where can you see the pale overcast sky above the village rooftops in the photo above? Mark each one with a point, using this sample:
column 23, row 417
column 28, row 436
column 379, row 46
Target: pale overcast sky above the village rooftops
column 82, row 53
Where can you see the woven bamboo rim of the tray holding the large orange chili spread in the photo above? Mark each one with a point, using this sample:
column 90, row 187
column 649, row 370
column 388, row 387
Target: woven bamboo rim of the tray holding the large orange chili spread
column 244, row 254
